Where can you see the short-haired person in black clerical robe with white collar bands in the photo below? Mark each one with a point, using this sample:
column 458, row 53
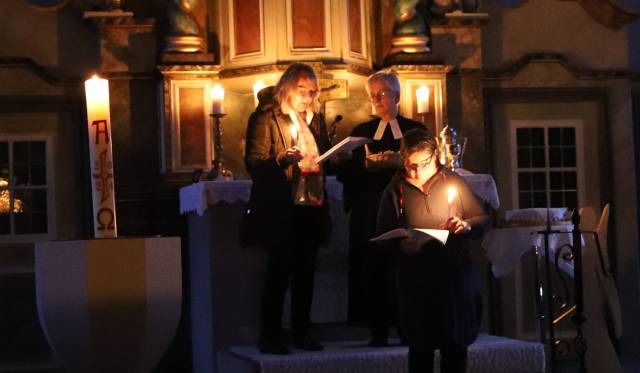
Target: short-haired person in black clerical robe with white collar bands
column 365, row 175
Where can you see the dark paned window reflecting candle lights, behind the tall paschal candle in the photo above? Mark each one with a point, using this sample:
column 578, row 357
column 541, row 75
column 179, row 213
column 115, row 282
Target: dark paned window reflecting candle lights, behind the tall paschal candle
column 24, row 187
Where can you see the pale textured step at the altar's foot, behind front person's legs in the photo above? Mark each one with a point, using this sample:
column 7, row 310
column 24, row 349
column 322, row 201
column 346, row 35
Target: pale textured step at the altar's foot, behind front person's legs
column 488, row 354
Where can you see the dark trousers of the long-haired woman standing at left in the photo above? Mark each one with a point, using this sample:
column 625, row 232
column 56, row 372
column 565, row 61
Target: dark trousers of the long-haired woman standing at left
column 293, row 263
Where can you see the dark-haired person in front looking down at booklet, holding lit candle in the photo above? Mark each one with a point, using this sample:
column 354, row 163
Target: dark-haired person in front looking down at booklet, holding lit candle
column 439, row 302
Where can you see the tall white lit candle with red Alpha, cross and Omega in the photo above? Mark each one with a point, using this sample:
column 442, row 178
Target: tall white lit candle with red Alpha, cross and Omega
column 101, row 158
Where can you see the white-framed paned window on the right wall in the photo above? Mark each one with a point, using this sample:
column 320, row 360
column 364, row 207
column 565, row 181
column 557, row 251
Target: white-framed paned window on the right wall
column 547, row 163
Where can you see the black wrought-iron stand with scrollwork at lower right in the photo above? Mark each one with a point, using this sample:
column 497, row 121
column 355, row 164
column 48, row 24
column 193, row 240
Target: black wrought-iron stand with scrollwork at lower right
column 548, row 319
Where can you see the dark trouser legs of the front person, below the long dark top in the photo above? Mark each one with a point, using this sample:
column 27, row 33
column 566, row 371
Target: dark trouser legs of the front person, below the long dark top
column 453, row 359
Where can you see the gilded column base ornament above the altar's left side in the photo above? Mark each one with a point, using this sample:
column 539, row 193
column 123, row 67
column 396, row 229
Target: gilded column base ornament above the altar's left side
column 184, row 36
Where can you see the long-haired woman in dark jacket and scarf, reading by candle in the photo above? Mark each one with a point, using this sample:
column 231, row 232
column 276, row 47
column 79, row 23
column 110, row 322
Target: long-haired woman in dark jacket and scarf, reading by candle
column 284, row 136
